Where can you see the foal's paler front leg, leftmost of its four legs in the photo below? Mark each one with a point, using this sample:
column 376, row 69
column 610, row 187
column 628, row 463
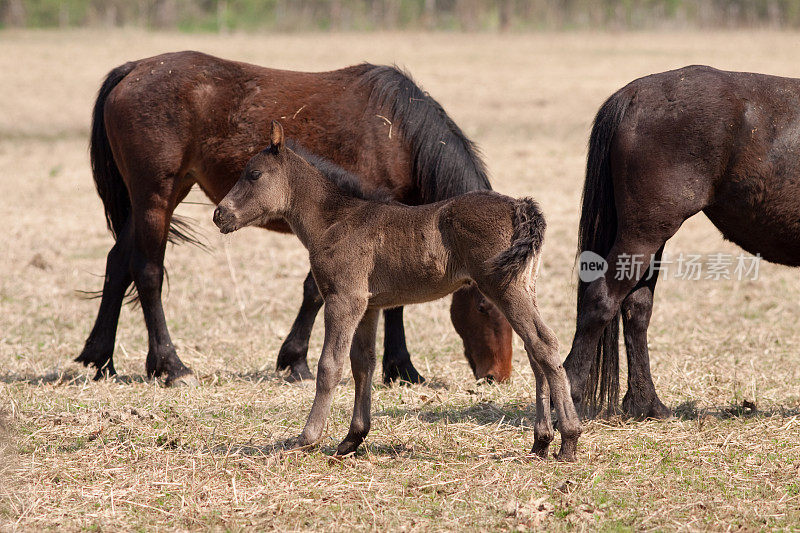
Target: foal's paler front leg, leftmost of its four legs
column 342, row 316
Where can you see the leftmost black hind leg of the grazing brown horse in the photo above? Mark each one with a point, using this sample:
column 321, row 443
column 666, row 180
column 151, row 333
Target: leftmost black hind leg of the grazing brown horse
column 99, row 348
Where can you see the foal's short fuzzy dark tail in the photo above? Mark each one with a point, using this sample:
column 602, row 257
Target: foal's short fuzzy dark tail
column 526, row 240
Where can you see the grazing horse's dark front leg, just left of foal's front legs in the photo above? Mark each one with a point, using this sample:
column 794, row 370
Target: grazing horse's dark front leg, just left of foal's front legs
column 294, row 350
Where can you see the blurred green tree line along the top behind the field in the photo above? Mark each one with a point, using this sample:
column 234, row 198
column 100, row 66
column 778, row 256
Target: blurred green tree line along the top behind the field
column 466, row 15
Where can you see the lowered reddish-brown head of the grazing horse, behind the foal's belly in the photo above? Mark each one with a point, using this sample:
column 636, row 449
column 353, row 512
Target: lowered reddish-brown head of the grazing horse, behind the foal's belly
column 486, row 334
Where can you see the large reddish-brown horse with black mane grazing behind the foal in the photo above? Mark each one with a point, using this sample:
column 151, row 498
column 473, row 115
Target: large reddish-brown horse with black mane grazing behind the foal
column 163, row 124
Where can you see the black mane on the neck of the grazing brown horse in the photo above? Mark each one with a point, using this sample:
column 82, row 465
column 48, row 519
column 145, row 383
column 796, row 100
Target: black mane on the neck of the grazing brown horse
column 445, row 163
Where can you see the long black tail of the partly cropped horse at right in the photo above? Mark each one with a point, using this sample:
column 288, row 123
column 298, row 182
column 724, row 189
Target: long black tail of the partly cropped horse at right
column 597, row 233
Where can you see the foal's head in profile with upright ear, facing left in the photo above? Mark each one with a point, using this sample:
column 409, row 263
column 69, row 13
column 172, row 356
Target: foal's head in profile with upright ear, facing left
column 262, row 193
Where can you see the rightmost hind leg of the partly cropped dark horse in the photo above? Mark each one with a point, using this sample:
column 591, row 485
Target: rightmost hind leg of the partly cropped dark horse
column 641, row 400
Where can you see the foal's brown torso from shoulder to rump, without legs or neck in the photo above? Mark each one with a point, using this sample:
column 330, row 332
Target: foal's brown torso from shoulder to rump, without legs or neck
column 413, row 254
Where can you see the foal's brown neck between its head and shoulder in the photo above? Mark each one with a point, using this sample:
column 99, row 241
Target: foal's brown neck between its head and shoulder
column 315, row 203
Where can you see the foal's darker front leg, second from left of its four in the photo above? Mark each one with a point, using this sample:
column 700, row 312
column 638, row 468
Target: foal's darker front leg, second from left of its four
column 362, row 361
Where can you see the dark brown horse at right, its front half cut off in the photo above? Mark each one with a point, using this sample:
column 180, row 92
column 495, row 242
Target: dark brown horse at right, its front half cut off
column 662, row 149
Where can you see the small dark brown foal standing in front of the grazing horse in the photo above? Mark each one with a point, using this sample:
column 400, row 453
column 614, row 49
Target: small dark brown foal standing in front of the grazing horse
column 368, row 255
